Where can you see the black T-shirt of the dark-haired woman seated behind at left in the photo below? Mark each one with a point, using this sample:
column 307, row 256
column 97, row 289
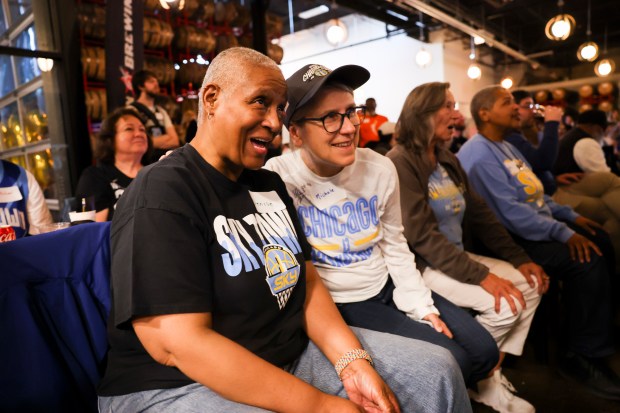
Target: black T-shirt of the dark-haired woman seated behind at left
column 102, row 184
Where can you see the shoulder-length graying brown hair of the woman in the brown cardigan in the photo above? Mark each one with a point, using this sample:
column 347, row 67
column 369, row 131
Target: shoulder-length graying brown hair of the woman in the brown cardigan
column 415, row 124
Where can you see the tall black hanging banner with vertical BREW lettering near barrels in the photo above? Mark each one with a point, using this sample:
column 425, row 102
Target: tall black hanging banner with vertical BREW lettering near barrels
column 124, row 49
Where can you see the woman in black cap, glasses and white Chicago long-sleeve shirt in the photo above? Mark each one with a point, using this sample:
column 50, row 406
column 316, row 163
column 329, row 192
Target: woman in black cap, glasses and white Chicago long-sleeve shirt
column 347, row 199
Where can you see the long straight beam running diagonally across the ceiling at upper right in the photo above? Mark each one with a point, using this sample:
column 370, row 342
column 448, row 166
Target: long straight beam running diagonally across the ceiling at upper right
column 465, row 28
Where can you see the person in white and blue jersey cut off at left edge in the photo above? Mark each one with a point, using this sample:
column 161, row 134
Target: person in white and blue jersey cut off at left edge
column 22, row 204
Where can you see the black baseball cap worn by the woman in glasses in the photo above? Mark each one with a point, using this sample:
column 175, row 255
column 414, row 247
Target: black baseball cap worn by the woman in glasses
column 306, row 82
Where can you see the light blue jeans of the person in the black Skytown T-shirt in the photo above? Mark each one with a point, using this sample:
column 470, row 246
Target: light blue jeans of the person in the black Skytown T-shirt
column 425, row 379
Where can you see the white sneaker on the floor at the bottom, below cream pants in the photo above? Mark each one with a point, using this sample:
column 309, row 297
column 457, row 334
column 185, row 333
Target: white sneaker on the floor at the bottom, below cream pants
column 497, row 392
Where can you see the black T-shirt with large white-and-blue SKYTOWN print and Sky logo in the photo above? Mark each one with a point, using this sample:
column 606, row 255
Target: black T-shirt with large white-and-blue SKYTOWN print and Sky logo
column 185, row 239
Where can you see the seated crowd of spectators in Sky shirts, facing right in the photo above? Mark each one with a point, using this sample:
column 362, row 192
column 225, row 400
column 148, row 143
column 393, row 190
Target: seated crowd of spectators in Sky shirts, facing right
column 334, row 278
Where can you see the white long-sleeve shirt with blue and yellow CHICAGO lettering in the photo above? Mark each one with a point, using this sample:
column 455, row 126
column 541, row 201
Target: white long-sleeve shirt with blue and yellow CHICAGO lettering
column 353, row 222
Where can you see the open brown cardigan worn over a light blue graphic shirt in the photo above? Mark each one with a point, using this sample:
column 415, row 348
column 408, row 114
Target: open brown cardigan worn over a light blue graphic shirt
column 431, row 247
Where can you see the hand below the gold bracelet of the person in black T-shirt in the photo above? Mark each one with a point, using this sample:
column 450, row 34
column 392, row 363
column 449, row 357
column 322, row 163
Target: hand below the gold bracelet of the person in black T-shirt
column 367, row 389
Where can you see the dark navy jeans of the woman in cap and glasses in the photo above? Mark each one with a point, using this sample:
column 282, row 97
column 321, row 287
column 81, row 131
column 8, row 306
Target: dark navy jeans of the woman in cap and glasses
column 473, row 347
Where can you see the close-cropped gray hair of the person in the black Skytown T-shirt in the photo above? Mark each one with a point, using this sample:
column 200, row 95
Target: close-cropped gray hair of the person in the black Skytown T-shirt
column 224, row 70
